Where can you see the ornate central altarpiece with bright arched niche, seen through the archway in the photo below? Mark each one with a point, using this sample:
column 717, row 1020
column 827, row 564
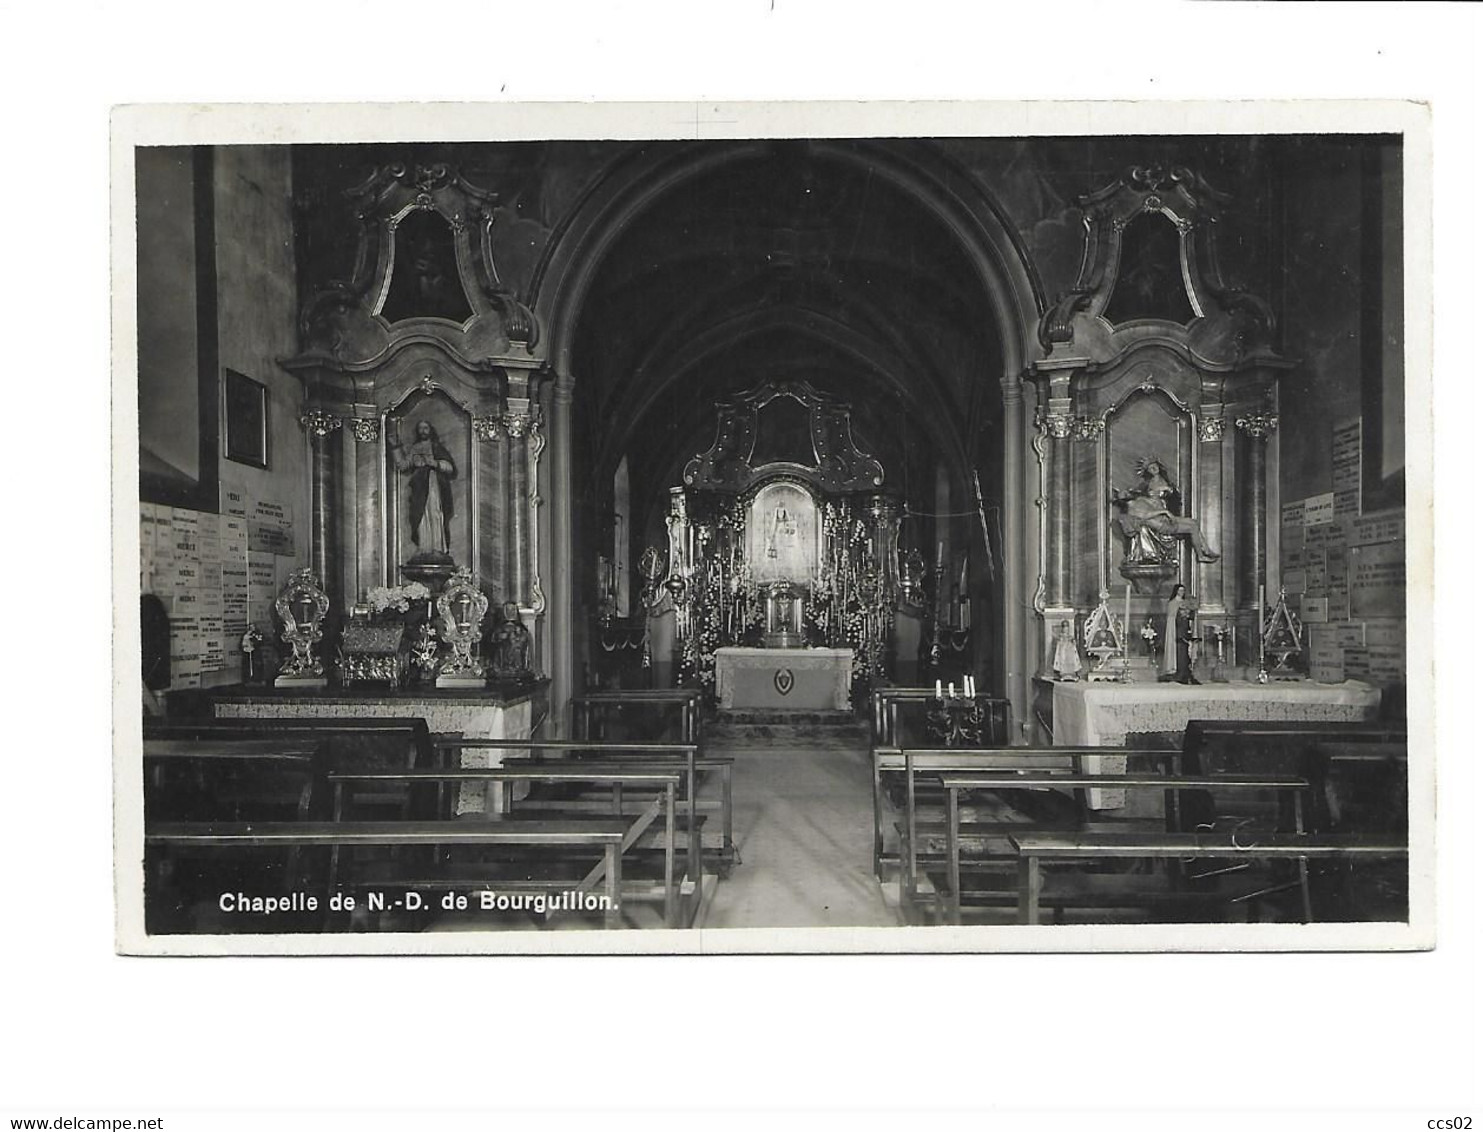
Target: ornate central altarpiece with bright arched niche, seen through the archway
column 781, row 535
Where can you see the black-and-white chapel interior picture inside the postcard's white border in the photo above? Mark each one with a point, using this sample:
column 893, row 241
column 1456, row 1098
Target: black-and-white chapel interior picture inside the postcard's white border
column 778, row 533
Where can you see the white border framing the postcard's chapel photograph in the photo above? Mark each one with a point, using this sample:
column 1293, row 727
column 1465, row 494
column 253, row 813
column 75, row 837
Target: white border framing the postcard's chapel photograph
column 284, row 124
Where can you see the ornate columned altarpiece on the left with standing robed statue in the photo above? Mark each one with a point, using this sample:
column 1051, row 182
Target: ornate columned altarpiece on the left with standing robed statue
column 423, row 332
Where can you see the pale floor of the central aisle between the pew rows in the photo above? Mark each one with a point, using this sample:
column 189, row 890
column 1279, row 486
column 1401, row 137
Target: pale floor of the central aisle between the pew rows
column 803, row 826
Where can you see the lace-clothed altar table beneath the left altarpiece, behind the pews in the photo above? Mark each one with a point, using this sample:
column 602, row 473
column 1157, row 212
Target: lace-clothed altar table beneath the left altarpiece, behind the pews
column 474, row 713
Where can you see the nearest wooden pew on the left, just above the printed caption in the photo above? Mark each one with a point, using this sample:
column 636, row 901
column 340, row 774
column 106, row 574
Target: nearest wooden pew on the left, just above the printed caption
column 606, row 835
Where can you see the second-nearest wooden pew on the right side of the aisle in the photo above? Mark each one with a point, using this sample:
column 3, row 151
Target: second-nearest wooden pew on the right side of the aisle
column 957, row 783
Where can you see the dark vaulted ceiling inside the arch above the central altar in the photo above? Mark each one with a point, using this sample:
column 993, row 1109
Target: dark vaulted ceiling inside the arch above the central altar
column 787, row 266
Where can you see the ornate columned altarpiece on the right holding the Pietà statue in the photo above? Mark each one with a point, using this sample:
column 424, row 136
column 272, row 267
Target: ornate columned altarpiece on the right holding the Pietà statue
column 1156, row 403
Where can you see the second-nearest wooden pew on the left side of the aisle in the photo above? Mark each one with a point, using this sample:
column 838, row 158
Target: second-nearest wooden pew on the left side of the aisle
column 668, row 784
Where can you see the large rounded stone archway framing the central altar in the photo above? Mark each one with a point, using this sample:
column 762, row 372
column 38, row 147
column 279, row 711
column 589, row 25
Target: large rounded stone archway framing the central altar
column 941, row 197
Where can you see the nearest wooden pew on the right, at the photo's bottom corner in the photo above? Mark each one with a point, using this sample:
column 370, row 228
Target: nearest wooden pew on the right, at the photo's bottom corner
column 1033, row 849
